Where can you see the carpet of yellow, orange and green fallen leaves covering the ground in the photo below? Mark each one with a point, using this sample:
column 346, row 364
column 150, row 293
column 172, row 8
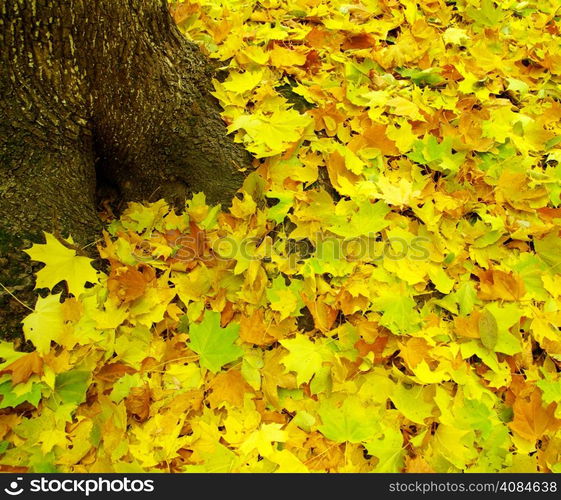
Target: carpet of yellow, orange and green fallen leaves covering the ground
column 383, row 296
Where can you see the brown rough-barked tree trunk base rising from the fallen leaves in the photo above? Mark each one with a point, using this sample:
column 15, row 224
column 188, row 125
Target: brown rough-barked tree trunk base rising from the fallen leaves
column 98, row 91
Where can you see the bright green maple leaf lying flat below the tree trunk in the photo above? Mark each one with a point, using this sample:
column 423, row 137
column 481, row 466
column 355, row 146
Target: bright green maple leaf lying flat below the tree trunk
column 214, row 345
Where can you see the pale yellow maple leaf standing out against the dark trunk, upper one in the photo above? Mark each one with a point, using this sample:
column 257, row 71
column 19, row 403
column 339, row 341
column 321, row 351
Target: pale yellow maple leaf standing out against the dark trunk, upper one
column 62, row 264
